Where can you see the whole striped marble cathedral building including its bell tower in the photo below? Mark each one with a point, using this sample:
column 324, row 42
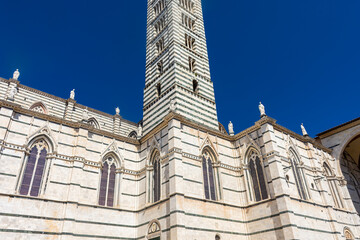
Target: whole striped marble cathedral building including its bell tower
column 71, row 172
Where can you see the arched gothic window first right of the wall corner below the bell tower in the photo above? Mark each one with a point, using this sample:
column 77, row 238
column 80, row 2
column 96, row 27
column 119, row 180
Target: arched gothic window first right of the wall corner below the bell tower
column 208, row 174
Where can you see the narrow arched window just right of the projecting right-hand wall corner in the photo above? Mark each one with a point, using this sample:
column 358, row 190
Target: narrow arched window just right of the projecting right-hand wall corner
column 298, row 176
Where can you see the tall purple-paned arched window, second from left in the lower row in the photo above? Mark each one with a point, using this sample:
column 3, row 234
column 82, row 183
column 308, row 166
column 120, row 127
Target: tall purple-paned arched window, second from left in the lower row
column 108, row 182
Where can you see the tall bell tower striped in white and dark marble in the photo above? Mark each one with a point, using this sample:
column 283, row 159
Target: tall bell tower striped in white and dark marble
column 177, row 64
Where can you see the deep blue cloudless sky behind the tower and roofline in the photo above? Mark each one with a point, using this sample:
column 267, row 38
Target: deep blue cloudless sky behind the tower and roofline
column 300, row 58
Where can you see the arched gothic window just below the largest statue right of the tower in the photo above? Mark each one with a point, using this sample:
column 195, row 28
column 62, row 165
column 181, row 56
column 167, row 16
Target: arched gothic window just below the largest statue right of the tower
column 256, row 177
